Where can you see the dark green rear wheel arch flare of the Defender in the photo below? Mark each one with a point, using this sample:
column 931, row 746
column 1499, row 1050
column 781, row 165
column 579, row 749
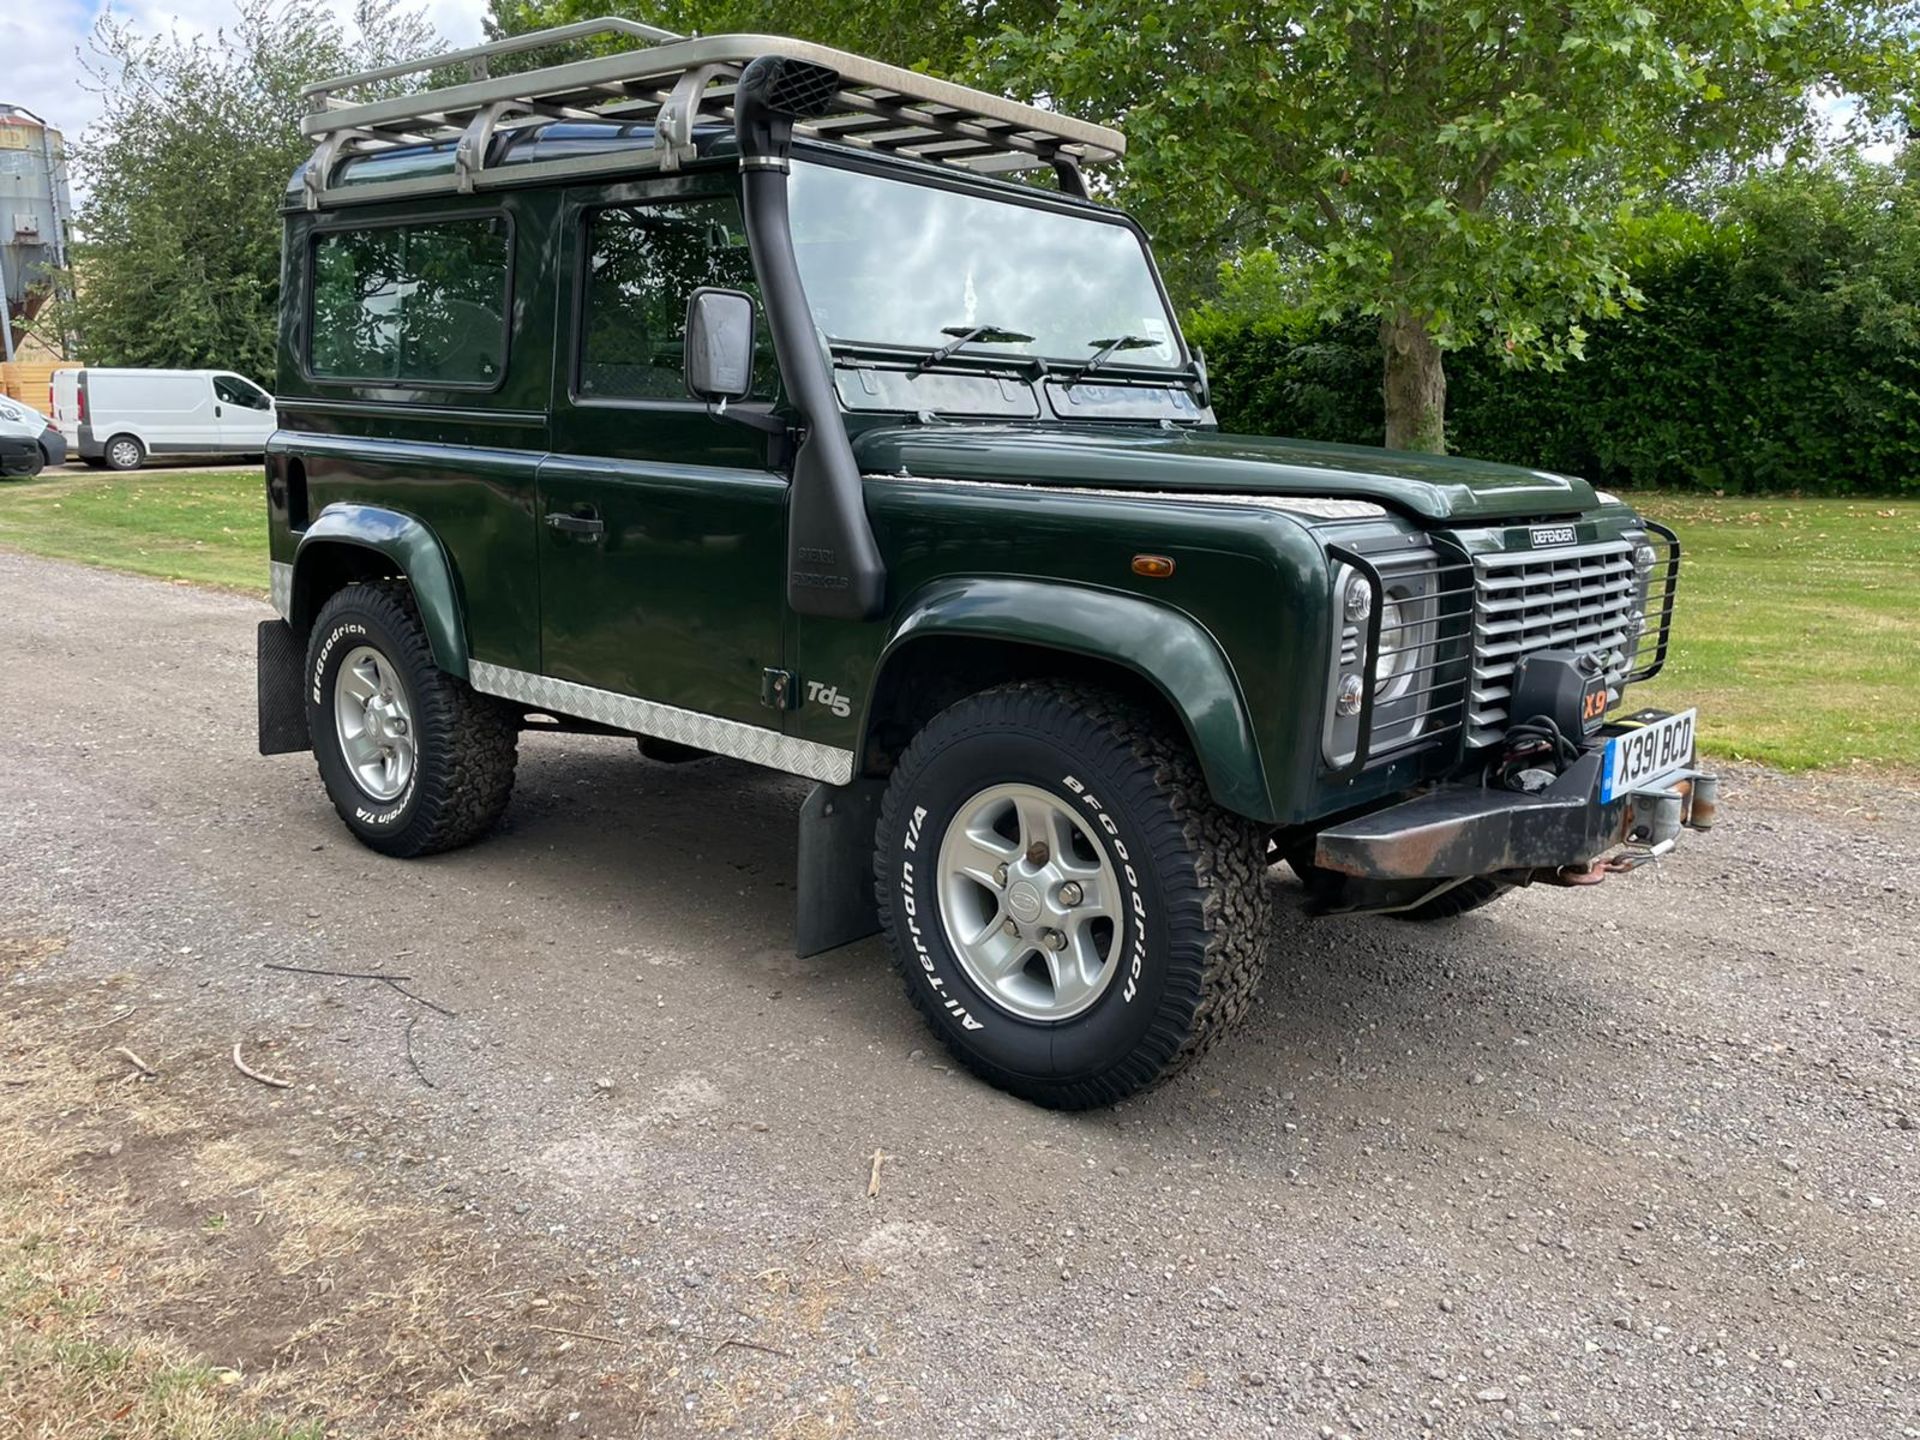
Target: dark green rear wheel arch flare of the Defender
column 366, row 542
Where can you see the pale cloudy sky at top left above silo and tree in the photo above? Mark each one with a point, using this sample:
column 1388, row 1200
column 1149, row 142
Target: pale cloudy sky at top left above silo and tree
column 41, row 39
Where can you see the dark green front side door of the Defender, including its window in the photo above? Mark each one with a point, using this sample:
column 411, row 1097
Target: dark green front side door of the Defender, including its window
column 663, row 529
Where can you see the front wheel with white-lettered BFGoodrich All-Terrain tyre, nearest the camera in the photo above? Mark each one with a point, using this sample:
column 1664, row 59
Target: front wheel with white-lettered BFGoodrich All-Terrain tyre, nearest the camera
column 1070, row 911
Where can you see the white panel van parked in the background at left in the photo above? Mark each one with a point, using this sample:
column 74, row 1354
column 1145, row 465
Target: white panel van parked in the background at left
column 120, row 418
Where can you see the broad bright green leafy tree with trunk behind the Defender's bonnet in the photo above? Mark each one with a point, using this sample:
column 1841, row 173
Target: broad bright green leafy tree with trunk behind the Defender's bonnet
column 1451, row 168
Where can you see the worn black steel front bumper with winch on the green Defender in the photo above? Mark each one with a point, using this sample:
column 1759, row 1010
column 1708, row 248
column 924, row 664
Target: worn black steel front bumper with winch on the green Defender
column 1566, row 828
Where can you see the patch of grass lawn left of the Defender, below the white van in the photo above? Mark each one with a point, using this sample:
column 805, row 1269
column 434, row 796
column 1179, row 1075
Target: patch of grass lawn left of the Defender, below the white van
column 208, row 527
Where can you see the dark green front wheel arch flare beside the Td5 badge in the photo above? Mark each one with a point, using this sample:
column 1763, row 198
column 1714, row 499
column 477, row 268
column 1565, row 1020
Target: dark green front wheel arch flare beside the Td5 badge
column 959, row 636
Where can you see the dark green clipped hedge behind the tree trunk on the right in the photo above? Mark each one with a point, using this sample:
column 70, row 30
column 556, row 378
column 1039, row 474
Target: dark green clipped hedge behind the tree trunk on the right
column 1779, row 348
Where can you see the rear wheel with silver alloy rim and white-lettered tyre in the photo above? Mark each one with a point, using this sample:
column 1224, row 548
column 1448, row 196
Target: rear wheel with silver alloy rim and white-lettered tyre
column 414, row 759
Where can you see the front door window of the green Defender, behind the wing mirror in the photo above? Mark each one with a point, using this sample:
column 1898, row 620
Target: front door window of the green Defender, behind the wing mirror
column 642, row 264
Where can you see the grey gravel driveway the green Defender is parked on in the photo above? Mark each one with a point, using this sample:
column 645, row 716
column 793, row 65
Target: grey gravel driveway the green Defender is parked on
column 1633, row 1161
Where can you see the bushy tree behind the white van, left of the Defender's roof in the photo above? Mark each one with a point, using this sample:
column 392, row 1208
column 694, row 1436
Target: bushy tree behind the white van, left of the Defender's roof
column 180, row 254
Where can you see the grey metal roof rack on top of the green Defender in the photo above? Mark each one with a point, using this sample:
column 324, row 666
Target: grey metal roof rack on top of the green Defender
column 671, row 84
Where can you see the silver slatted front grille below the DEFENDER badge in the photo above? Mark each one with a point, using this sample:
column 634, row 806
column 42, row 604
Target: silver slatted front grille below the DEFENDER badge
column 1579, row 598
